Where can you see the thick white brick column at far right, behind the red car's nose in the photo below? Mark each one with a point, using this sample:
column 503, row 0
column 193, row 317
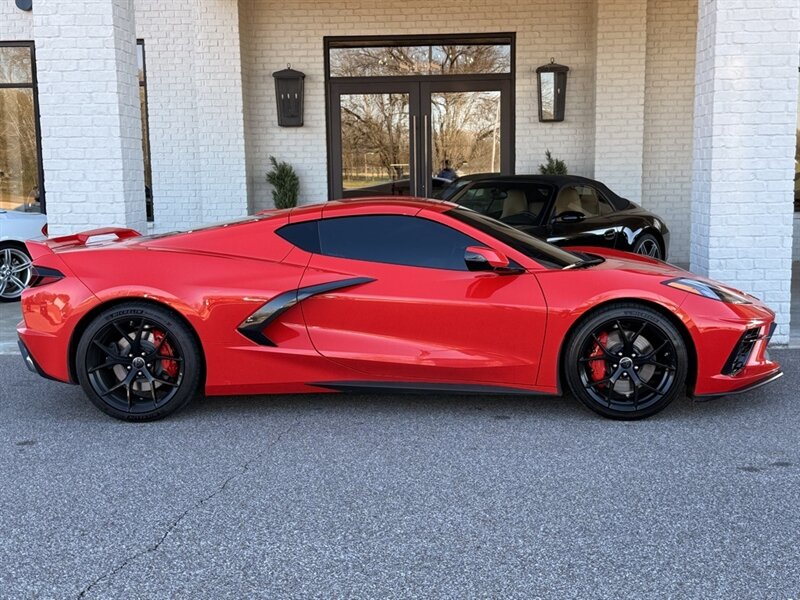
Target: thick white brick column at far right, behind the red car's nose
column 744, row 147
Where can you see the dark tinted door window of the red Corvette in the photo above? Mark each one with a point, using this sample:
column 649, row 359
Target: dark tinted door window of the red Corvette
column 395, row 239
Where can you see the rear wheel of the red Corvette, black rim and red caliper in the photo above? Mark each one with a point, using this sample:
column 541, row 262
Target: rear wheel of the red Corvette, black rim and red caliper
column 139, row 362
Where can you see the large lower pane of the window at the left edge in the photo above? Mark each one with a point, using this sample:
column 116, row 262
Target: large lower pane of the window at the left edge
column 19, row 161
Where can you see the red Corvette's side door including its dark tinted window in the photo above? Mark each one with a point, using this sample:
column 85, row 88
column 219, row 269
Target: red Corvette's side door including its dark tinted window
column 414, row 311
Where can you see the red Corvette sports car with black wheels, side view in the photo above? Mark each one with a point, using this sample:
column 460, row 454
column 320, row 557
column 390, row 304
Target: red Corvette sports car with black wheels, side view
column 380, row 294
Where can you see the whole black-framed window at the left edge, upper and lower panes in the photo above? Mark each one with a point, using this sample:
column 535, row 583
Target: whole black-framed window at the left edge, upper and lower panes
column 21, row 179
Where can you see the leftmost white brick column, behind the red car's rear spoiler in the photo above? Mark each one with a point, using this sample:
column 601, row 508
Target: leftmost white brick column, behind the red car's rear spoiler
column 90, row 116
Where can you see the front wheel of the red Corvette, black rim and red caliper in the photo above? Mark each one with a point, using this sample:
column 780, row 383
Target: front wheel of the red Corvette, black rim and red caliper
column 626, row 361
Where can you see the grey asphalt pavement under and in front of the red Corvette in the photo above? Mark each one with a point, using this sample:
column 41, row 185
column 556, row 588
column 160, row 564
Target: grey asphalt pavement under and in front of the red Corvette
column 393, row 496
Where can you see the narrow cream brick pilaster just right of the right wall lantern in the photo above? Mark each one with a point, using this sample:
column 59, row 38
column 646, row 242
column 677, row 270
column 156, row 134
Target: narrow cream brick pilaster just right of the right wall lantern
column 619, row 95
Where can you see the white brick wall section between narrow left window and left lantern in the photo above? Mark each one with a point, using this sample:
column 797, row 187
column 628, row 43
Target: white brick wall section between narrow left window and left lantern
column 195, row 109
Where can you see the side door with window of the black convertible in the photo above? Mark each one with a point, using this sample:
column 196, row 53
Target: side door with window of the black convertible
column 581, row 216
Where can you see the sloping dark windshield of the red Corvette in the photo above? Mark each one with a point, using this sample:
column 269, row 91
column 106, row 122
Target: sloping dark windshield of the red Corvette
column 542, row 252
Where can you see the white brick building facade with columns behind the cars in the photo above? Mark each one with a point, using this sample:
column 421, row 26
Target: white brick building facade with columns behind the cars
column 690, row 110
